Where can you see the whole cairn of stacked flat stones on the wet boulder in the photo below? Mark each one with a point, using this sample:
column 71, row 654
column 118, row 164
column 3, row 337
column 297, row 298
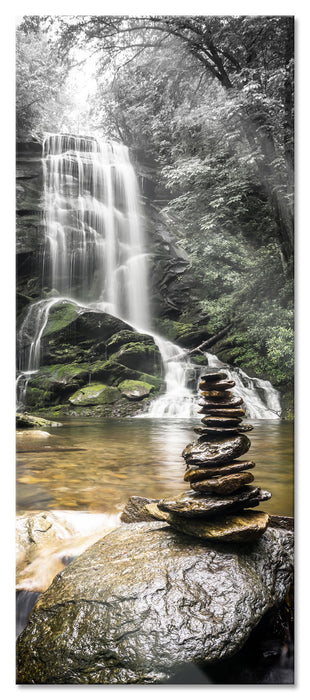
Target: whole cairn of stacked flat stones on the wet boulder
column 218, row 504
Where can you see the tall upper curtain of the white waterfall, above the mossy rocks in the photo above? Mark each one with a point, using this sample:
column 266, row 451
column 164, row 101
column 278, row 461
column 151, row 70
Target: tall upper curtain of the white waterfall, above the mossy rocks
column 94, row 238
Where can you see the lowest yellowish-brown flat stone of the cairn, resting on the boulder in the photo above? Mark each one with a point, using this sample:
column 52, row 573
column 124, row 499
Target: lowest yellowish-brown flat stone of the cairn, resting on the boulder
column 244, row 527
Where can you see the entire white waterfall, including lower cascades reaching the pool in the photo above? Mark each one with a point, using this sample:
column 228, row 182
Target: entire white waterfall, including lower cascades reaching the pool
column 95, row 257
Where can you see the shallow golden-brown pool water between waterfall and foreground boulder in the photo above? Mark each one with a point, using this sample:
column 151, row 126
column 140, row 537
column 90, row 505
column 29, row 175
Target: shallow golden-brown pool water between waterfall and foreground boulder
column 137, row 456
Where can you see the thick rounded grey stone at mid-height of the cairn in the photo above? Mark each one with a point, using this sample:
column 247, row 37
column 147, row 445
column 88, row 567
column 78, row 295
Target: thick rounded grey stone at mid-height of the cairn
column 217, row 452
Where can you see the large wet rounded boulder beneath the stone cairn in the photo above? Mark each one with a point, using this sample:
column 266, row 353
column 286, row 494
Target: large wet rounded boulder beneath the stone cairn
column 145, row 600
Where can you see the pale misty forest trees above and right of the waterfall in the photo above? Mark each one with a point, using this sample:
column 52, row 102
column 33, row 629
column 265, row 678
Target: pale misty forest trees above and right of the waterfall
column 207, row 104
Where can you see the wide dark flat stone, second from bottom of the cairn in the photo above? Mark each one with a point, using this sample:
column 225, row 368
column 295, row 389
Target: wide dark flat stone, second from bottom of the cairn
column 191, row 505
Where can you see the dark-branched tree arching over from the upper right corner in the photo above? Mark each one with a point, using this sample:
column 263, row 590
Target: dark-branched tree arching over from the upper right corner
column 251, row 57
